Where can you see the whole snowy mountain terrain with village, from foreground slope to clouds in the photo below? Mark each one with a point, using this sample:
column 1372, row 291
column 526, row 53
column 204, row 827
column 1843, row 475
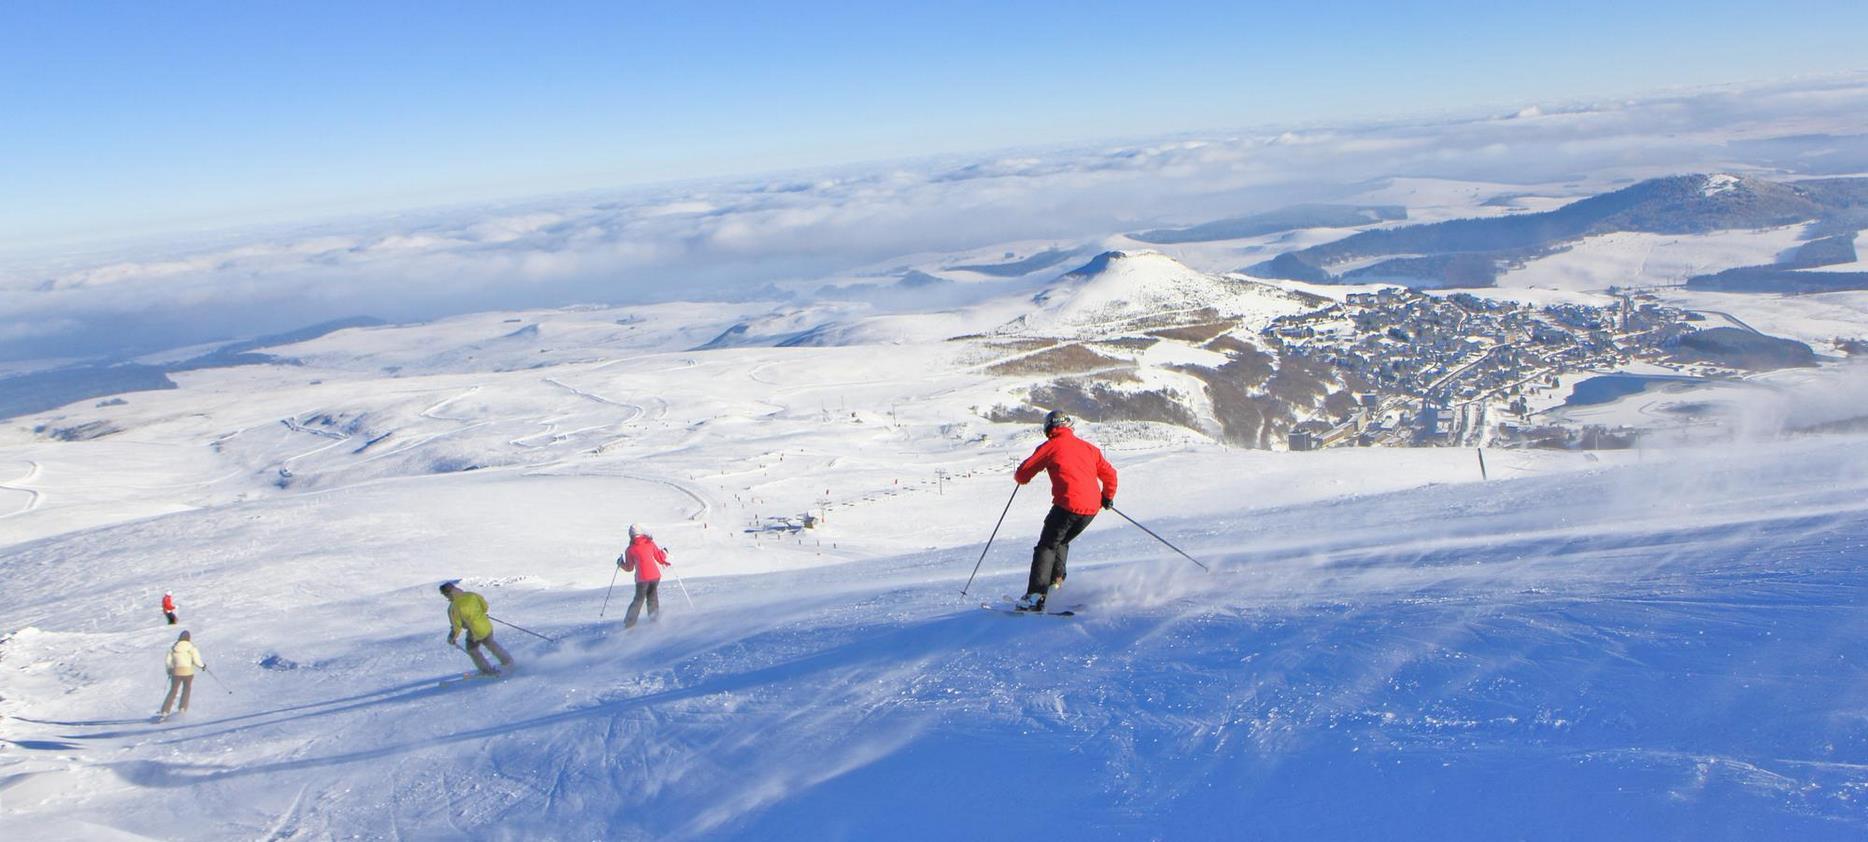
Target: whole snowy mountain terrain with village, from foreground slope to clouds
column 1536, row 641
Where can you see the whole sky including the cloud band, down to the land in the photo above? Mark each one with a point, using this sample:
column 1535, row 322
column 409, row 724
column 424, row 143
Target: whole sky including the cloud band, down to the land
column 339, row 139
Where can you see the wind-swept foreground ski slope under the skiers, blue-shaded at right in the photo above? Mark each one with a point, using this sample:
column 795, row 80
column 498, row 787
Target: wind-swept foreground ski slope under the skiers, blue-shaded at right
column 1662, row 651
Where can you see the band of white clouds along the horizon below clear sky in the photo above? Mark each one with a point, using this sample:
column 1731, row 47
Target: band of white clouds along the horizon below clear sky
column 733, row 236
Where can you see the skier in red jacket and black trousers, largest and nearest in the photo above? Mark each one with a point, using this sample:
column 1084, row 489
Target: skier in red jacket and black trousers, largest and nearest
column 1083, row 483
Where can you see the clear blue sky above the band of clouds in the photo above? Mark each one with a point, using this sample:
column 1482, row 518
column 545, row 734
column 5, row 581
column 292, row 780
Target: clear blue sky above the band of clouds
column 137, row 119
